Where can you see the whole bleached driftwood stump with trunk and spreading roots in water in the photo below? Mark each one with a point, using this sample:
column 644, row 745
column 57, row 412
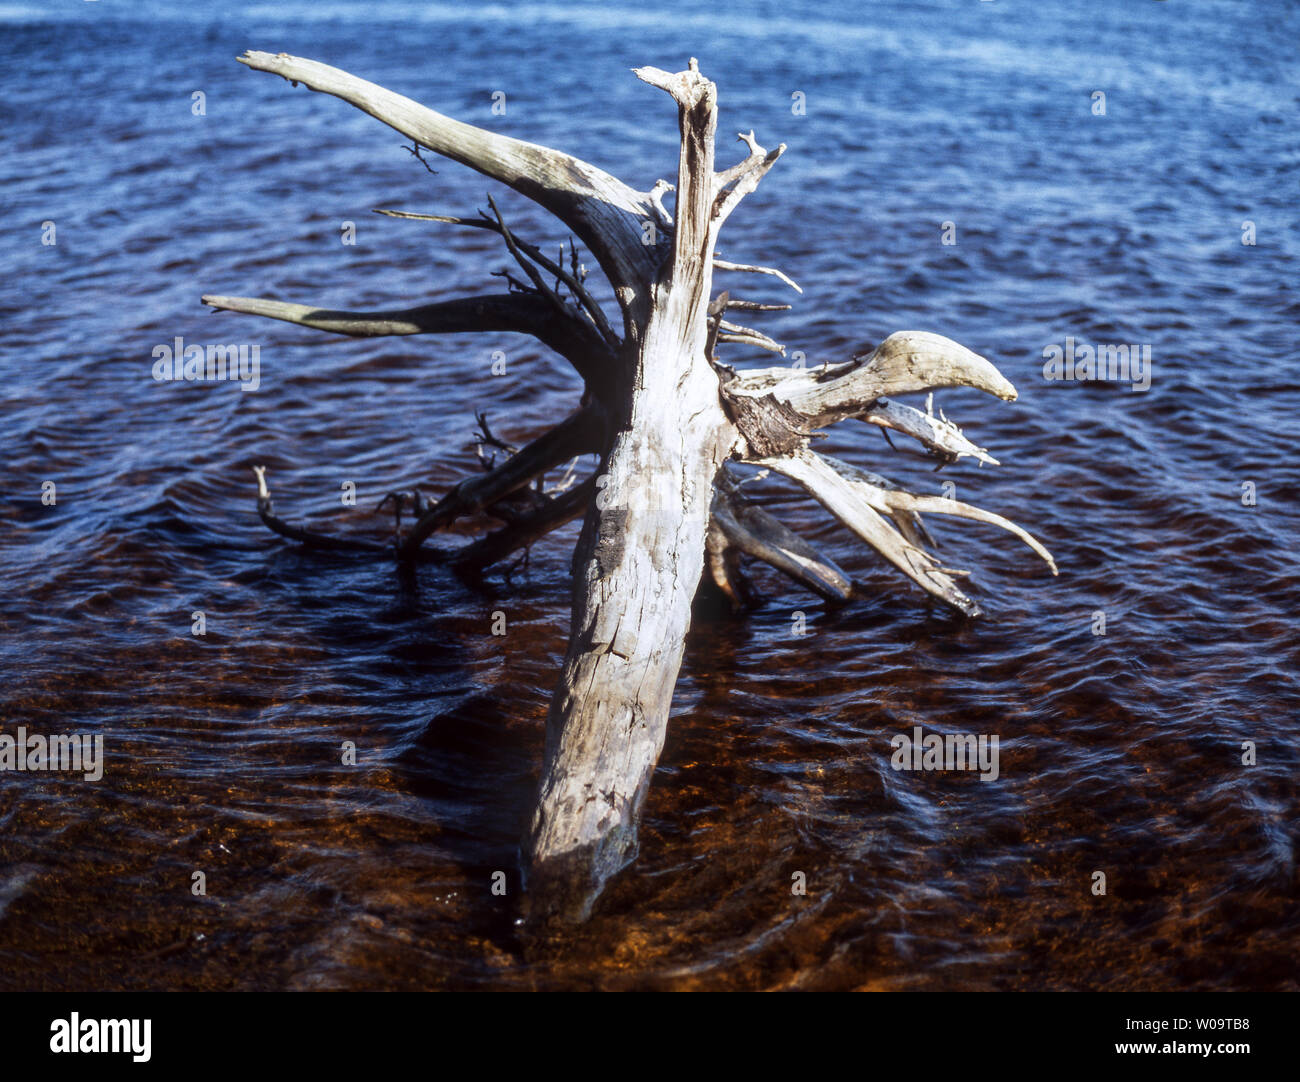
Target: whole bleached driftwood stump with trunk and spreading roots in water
column 670, row 425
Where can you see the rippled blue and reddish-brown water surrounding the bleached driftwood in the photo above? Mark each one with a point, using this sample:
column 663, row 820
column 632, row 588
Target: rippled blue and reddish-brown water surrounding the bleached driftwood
column 1120, row 754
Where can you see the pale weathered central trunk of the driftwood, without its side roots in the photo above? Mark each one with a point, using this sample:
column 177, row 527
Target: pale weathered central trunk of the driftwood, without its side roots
column 640, row 559
